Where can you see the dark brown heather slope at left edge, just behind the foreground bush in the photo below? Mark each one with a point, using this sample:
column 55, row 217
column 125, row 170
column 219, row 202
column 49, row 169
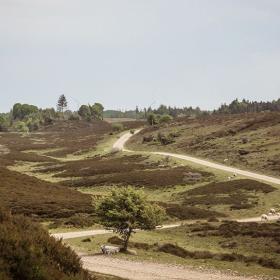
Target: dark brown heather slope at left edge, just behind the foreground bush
column 30, row 196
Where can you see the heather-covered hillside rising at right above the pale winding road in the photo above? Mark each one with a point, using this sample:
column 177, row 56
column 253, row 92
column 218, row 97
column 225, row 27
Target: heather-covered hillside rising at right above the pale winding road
column 251, row 141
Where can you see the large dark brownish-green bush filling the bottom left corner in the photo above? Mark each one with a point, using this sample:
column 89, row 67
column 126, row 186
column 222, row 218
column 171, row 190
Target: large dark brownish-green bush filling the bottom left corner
column 28, row 252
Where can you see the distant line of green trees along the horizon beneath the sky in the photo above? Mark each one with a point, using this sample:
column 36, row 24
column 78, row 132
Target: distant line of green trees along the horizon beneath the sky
column 26, row 117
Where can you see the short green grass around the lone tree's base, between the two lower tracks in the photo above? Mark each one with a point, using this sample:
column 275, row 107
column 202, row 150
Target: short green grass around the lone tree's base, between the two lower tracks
column 178, row 236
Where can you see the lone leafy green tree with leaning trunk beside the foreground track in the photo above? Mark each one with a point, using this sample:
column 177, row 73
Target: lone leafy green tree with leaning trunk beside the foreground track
column 125, row 210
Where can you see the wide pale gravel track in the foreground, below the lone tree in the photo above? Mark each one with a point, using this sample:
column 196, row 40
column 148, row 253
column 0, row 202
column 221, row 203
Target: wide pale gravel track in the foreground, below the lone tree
column 135, row 270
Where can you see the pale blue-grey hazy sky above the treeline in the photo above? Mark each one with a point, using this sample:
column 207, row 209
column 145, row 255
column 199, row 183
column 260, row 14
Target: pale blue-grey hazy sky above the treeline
column 125, row 53
